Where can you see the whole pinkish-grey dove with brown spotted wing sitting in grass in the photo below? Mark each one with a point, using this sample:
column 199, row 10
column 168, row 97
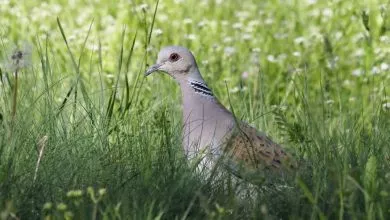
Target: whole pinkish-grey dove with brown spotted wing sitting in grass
column 210, row 131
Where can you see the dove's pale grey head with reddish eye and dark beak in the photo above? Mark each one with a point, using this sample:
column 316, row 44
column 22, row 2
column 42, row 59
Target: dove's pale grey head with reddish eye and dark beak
column 177, row 61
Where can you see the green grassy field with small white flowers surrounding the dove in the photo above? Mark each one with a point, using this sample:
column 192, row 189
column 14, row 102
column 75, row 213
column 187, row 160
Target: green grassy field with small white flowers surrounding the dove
column 84, row 135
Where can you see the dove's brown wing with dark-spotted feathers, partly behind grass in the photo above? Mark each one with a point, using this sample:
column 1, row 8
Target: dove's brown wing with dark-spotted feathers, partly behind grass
column 253, row 150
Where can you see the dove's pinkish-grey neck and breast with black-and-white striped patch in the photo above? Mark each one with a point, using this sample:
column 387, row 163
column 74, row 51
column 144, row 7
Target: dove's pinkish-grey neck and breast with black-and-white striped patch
column 205, row 120
